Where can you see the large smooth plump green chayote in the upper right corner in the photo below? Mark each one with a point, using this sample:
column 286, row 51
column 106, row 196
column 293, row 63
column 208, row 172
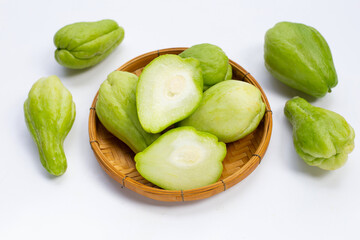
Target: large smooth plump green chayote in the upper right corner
column 299, row 56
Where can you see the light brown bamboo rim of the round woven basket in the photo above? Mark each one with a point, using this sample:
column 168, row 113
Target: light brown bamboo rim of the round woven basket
column 253, row 162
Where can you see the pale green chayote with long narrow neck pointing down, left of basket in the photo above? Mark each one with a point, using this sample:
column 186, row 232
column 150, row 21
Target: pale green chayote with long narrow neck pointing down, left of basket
column 49, row 114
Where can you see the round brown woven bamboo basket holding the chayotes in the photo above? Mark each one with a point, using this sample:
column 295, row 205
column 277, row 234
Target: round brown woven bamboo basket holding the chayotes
column 243, row 156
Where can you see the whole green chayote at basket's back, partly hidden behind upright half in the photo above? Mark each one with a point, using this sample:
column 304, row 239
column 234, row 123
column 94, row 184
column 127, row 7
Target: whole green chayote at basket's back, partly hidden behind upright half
column 213, row 61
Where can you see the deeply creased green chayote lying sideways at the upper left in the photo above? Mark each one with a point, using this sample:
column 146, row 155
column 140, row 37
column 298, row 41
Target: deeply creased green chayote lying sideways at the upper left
column 84, row 44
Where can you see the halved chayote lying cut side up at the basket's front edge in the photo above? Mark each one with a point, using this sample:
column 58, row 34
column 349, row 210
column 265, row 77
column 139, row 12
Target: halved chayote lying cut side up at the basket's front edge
column 182, row 158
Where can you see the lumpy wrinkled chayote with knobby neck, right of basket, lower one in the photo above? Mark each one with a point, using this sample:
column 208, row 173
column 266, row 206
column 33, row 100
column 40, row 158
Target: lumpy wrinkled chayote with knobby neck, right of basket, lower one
column 322, row 138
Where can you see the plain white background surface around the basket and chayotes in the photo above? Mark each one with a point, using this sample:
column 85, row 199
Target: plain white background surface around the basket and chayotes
column 282, row 199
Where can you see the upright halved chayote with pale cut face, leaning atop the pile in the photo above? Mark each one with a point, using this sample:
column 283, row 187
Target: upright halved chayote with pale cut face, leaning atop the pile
column 169, row 90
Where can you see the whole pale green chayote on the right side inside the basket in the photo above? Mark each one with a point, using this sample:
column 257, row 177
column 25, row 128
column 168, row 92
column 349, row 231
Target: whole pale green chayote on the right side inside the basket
column 230, row 110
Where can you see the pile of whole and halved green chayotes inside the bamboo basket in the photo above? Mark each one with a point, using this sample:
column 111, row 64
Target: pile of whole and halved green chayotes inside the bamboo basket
column 169, row 93
